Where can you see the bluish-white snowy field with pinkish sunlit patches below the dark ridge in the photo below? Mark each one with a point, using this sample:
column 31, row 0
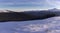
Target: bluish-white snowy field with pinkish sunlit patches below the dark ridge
column 50, row 25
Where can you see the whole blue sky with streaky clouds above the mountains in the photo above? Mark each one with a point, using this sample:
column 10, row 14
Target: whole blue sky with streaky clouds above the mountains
column 29, row 4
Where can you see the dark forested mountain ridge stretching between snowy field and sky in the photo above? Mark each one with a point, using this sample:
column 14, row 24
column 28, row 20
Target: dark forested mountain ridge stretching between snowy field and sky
column 28, row 15
